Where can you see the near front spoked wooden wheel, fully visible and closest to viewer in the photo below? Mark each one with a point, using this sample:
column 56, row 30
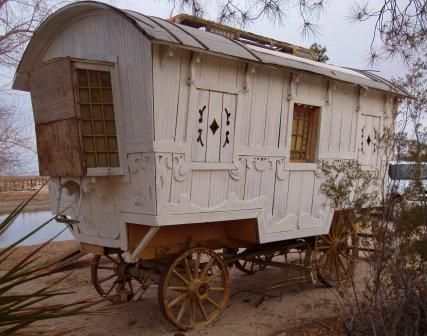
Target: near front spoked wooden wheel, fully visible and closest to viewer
column 194, row 290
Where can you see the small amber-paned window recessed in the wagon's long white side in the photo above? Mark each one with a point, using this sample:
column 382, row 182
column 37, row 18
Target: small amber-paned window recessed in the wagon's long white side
column 304, row 129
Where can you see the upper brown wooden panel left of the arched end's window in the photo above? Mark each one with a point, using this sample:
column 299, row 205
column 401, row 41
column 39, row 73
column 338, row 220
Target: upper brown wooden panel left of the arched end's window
column 52, row 91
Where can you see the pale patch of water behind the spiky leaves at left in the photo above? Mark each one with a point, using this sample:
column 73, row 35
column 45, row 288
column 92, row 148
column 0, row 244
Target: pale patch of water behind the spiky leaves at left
column 28, row 221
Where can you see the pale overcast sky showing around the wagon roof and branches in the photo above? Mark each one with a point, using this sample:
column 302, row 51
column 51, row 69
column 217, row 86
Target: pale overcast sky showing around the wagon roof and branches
column 347, row 45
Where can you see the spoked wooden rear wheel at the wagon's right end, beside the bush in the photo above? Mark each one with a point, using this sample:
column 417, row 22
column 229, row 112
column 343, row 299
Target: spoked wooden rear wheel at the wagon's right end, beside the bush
column 335, row 255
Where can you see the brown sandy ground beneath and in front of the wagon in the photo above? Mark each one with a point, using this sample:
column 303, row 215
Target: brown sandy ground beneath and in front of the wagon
column 295, row 310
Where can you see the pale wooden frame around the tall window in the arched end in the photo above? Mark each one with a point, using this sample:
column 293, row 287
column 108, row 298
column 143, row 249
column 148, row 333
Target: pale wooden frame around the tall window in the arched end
column 115, row 87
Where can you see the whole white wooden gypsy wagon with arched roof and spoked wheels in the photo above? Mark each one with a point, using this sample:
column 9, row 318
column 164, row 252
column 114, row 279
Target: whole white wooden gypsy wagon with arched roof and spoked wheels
column 169, row 141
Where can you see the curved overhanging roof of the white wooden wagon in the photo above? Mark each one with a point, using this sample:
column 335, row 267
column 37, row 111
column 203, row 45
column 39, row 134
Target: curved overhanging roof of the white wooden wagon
column 167, row 32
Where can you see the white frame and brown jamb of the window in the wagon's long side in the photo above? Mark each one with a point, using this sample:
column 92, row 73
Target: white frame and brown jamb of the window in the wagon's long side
column 313, row 137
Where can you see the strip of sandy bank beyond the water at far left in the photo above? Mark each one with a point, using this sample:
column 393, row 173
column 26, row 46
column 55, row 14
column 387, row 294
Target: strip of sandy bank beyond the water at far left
column 10, row 199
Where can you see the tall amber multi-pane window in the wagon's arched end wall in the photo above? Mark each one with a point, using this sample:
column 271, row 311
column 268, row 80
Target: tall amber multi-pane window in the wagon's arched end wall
column 98, row 126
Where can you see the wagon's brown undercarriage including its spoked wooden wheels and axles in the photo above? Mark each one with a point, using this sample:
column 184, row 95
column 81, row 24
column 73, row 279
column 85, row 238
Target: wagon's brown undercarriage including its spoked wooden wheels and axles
column 194, row 285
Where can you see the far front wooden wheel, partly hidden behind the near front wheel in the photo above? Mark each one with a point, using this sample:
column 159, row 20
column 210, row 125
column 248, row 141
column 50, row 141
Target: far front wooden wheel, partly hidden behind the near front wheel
column 112, row 279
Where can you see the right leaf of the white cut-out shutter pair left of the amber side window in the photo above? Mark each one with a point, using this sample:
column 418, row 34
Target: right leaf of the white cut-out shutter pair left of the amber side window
column 226, row 149
